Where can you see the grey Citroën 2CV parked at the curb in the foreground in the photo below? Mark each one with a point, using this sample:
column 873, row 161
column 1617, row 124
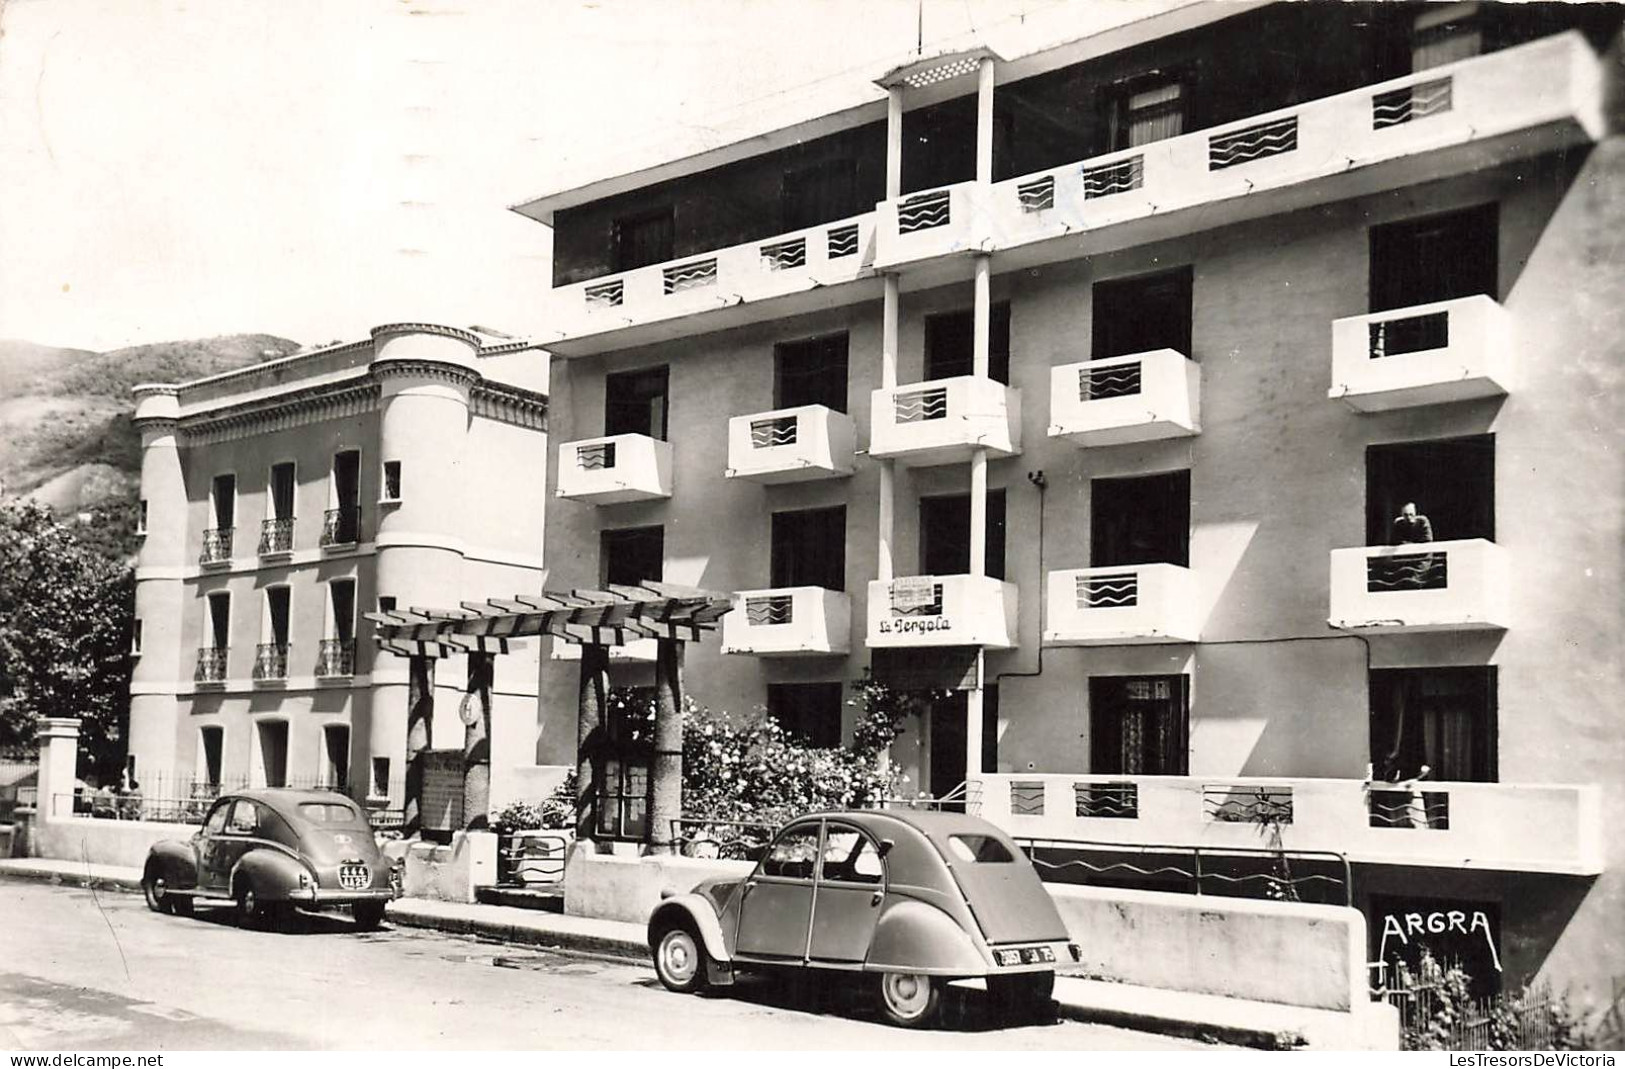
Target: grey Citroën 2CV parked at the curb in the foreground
column 901, row 901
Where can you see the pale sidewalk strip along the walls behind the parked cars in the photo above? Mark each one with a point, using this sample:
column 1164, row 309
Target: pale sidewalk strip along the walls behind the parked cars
column 1265, row 1026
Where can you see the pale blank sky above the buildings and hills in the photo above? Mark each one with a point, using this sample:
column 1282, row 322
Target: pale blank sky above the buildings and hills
column 313, row 168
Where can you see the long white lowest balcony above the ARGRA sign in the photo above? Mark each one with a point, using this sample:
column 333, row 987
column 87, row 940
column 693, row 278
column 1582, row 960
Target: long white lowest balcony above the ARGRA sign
column 1512, row 828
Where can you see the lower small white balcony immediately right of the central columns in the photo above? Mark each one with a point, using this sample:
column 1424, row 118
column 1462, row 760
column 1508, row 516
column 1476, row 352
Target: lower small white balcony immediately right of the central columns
column 1130, row 605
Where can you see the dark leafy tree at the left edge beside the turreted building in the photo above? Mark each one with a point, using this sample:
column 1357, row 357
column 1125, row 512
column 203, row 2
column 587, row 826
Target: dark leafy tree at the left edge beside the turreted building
column 66, row 620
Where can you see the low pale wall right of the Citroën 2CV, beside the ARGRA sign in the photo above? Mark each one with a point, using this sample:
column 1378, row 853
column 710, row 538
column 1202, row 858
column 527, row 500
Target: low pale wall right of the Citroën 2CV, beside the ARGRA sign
column 1285, row 953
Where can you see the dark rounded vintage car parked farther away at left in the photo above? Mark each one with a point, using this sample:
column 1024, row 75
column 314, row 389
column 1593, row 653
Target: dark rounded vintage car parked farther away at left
column 272, row 852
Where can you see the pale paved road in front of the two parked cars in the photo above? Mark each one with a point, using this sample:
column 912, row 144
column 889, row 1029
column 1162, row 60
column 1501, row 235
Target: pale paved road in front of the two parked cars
column 87, row 971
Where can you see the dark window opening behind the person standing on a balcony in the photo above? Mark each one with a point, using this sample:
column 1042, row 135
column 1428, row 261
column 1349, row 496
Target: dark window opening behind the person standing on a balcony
column 1450, row 482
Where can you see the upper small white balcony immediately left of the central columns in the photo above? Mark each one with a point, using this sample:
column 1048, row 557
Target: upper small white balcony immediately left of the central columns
column 791, row 446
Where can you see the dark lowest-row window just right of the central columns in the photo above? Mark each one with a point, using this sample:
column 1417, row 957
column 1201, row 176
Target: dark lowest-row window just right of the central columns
column 1138, row 725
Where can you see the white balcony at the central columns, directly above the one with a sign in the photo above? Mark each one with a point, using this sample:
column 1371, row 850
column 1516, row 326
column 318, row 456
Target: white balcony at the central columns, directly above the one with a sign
column 945, row 422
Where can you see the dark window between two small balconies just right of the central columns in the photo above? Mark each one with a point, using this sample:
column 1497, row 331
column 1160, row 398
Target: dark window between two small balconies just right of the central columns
column 1142, row 521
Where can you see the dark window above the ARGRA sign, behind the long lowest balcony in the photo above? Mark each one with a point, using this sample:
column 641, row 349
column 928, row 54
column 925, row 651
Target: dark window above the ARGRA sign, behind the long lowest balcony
column 1442, row 719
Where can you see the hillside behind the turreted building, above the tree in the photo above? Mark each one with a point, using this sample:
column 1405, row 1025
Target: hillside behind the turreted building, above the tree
column 66, row 435
